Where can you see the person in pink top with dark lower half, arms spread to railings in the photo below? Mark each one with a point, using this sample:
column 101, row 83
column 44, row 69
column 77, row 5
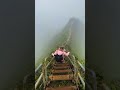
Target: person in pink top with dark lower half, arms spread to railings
column 59, row 54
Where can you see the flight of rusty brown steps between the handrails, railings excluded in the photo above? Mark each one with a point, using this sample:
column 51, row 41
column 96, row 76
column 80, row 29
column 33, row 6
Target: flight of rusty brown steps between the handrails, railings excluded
column 61, row 78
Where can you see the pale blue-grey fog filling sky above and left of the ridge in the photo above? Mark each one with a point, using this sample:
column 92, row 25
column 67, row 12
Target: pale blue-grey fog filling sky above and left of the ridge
column 50, row 18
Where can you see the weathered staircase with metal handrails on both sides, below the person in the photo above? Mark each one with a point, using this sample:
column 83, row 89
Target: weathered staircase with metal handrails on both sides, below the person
column 60, row 76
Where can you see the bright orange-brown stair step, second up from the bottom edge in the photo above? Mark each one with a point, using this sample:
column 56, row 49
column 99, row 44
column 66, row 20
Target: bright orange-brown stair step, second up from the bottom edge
column 61, row 77
